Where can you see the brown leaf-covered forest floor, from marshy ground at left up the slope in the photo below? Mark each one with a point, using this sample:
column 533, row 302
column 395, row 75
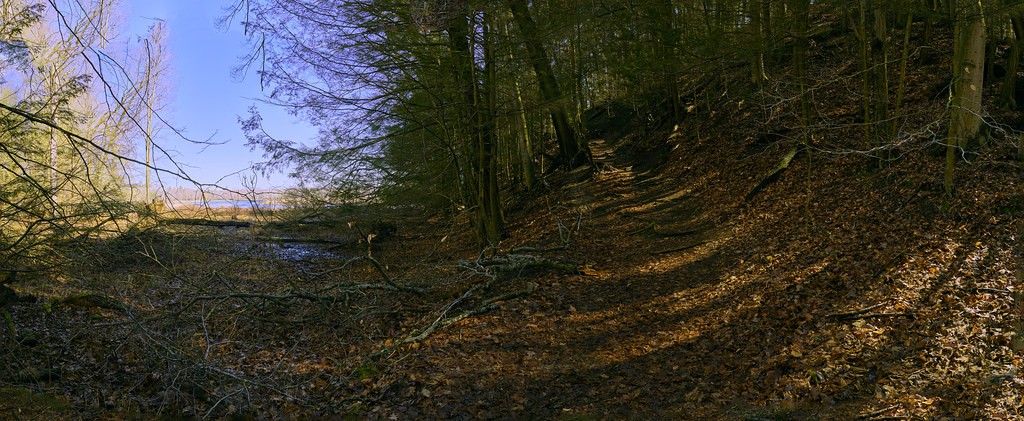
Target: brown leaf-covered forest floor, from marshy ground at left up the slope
column 844, row 290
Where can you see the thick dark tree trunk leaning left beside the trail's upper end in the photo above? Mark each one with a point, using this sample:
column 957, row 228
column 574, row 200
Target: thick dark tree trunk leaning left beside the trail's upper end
column 570, row 151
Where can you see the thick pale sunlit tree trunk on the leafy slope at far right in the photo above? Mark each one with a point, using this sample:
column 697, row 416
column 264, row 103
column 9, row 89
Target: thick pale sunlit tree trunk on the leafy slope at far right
column 968, row 83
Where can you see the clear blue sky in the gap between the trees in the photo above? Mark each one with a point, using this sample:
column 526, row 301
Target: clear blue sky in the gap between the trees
column 206, row 101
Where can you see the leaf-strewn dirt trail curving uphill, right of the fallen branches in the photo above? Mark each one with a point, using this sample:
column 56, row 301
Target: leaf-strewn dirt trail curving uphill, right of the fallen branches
column 624, row 341
